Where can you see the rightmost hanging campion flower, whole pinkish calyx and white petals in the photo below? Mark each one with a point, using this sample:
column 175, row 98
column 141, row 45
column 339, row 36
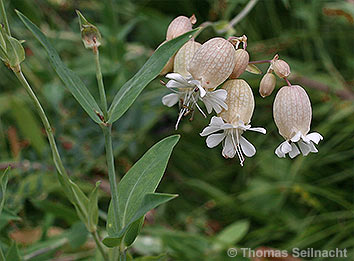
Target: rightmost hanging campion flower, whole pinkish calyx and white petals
column 292, row 114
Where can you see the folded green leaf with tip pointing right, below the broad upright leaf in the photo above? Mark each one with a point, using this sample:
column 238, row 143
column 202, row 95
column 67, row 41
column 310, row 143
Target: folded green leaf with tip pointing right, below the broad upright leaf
column 150, row 201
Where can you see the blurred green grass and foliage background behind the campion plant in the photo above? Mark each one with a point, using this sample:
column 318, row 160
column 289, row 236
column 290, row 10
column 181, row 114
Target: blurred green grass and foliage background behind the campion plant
column 271, row 202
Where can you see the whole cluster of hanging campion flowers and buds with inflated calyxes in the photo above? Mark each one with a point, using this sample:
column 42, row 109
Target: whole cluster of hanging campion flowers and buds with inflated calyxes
column 195, row 72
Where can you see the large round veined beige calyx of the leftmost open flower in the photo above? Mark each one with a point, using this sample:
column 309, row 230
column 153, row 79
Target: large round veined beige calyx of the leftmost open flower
column 213, row 62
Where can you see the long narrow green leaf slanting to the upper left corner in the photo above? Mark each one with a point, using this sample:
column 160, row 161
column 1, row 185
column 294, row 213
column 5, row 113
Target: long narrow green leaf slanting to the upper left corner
column 69, row 78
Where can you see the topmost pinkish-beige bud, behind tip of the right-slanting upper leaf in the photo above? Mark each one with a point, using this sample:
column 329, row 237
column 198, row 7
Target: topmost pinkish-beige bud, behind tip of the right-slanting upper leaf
column 179, row 26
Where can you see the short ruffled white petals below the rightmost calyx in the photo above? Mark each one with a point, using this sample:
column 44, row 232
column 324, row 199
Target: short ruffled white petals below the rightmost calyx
column 305, row 143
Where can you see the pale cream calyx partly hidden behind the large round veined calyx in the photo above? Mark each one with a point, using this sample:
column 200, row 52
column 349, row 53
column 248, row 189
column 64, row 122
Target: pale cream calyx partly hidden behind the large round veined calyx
column 184, row 56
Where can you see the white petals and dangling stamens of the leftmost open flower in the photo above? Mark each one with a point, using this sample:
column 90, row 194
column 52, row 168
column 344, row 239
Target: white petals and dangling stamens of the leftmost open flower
column 189, row 91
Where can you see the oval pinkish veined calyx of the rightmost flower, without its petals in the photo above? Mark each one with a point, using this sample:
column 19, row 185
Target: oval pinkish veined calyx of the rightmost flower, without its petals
column 292, row 111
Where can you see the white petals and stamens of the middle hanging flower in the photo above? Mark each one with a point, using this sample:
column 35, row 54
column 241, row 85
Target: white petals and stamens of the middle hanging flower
column 231, row 135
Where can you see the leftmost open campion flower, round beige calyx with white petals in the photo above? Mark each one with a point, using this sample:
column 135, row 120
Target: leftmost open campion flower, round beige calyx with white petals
column 211, row 65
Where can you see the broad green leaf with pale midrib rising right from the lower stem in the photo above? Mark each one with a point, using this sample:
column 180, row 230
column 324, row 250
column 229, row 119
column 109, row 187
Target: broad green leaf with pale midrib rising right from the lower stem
column 143, row 178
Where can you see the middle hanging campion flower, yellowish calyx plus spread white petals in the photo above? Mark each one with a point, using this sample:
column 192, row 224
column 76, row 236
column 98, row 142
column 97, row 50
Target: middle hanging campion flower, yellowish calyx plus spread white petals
column 234, row 122
